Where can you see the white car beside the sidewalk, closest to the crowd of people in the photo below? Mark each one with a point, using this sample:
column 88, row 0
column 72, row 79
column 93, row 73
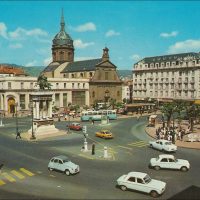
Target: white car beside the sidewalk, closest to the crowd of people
column 163, row 145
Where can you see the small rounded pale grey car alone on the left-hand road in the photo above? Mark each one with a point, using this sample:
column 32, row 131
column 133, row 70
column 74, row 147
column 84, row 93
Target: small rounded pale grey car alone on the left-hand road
column 62, row 163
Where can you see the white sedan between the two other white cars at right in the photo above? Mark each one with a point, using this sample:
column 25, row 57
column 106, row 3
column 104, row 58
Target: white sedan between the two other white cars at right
column 169, row 162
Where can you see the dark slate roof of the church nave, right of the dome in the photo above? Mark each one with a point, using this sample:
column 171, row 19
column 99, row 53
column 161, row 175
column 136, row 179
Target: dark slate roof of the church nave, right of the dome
column 85, row 65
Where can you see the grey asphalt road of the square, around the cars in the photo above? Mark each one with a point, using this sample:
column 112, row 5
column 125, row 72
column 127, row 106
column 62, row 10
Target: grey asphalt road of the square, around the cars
column 25, row 174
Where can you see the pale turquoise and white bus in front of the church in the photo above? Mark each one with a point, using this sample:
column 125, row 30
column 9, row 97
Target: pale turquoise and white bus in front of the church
column 97, row 114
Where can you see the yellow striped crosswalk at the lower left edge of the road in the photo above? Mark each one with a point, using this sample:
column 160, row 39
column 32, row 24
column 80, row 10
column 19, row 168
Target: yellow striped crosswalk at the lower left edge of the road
column 14, row 175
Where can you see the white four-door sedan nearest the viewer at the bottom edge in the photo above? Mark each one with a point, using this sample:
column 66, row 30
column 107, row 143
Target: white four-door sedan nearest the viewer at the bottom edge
column 141, row 182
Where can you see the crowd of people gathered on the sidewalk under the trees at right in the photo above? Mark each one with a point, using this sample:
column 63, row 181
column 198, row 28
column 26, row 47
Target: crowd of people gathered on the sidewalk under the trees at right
column 170, row 133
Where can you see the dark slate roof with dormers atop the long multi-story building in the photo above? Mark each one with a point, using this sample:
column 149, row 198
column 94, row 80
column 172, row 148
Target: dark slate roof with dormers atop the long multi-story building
column 169, row 58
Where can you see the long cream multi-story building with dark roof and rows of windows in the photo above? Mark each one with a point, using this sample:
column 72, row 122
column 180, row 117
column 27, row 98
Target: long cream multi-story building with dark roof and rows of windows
column 167, row 77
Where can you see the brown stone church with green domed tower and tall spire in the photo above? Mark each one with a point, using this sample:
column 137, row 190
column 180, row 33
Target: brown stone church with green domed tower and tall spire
column 104, row 82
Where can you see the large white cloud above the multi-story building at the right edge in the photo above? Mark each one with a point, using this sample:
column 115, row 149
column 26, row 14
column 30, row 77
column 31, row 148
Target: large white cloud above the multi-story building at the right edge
column 185, row 46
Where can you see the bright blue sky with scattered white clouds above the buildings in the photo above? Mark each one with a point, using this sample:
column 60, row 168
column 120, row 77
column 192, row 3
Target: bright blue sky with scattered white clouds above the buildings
column 131, row 30
